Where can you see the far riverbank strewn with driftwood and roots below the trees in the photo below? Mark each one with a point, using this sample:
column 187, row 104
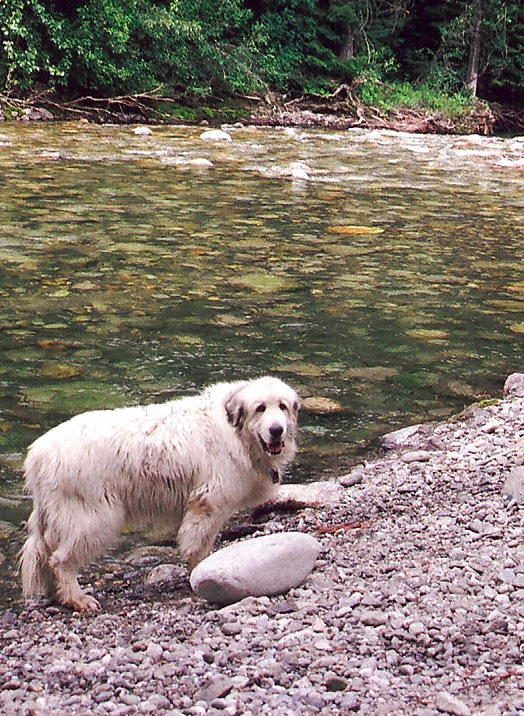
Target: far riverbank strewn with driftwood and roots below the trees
column 341, row 110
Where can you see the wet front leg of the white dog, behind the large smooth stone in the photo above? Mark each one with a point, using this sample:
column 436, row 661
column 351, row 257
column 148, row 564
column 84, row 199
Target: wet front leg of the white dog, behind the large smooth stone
column 200, row 525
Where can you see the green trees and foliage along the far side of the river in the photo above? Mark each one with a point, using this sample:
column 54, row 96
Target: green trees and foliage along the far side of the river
column 201, row 48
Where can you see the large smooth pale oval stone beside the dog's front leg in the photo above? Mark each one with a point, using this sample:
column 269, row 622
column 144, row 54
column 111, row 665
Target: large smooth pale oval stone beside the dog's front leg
column 262, row 566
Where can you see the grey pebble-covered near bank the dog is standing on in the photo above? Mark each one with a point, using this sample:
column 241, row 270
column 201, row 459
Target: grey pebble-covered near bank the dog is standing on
column 415, row 605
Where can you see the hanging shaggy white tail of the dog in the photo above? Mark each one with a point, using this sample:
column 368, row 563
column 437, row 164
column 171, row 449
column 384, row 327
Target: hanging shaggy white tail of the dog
column 34, row 561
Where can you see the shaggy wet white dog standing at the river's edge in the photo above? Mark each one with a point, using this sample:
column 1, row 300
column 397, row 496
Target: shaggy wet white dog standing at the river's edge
column 190, row 463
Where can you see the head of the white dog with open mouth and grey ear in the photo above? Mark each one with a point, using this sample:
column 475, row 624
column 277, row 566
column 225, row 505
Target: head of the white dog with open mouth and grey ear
column 265, row 411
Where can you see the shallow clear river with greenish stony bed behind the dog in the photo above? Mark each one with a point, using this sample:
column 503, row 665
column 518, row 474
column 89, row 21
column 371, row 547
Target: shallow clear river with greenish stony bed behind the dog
column 390, row 282
